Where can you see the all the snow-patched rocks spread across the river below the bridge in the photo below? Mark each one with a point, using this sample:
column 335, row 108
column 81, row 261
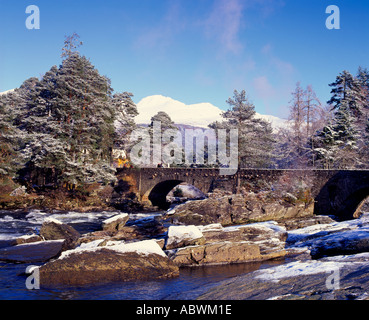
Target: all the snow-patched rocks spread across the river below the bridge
column 320, row 258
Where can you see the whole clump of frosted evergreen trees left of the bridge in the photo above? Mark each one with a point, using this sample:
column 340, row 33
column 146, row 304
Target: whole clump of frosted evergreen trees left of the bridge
column 62, row 126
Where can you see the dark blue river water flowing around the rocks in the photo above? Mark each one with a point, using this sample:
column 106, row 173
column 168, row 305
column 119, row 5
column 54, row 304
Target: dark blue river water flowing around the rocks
column 190, row 284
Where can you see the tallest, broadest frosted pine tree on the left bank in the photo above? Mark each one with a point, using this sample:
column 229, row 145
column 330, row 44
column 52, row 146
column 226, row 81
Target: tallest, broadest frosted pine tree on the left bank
column 68, row 120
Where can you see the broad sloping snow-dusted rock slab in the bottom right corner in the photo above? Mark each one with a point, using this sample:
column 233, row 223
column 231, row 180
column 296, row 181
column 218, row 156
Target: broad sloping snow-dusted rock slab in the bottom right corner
column 334, row 278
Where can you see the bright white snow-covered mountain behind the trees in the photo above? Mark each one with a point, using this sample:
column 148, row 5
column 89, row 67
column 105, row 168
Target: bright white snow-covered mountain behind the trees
column 197, row 115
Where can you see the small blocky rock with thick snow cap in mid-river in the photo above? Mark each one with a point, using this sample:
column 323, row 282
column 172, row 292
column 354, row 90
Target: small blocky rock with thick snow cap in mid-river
column 181, row 236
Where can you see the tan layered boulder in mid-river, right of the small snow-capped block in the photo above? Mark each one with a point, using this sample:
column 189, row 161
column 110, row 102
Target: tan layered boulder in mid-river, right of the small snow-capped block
column 234, row 244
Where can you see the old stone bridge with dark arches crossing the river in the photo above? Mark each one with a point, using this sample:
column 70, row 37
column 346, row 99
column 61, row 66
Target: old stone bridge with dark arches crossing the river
column 336, row 192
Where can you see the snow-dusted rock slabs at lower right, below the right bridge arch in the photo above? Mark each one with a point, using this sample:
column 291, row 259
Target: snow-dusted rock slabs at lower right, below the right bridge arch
column 332, row 262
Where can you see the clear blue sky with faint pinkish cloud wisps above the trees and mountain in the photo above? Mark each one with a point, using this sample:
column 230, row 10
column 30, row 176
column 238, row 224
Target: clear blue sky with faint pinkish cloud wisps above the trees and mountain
column 192, row 50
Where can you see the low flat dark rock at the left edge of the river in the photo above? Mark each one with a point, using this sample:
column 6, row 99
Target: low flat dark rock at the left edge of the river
column 32, row 252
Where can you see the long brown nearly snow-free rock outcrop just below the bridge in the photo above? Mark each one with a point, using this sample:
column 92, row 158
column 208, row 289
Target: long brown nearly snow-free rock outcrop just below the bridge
column 238, row 209
